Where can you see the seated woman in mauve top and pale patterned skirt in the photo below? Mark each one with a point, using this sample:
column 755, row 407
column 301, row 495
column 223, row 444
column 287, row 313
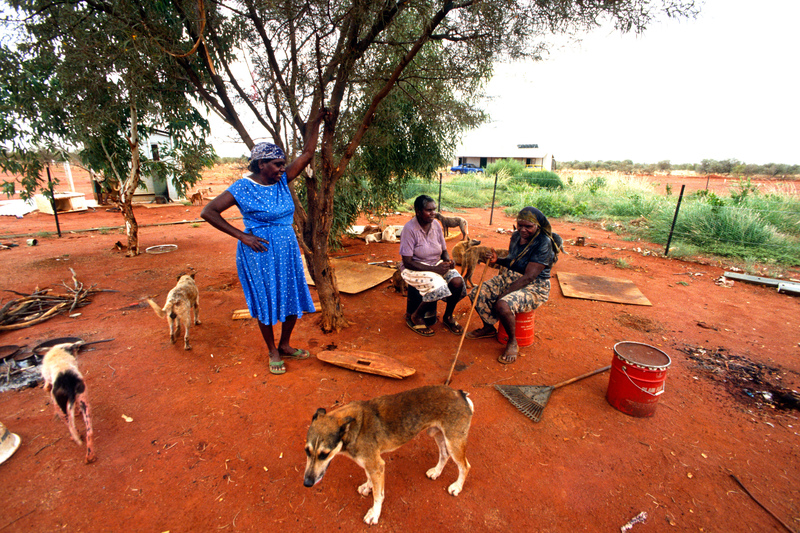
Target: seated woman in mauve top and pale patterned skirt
column 427, row 267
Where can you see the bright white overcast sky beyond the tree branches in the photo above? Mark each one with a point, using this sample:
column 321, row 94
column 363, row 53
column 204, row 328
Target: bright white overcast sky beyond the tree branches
column 721, row 86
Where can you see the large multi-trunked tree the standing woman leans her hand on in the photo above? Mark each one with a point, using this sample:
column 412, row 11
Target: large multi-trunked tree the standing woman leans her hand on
column 264, row 66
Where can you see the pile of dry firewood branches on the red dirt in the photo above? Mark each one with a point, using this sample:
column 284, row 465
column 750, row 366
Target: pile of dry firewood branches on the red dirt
column 41, row 305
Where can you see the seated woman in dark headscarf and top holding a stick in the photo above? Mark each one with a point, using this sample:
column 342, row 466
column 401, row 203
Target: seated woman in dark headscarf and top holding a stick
column 524, row 283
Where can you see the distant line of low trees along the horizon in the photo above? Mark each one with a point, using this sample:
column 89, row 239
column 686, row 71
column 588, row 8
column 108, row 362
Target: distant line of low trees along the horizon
column 707, row 166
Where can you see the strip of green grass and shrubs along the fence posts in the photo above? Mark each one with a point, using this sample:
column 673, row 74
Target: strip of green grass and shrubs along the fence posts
column 752, row 221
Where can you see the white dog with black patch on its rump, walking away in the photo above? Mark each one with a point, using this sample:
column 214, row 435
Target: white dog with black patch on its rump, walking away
column 66, row 386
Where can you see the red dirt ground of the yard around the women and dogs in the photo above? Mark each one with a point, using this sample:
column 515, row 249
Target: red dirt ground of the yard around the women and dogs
column 215, row 443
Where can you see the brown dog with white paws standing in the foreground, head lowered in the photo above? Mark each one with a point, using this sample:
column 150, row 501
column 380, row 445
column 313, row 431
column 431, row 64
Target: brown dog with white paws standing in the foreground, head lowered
column 363, row 430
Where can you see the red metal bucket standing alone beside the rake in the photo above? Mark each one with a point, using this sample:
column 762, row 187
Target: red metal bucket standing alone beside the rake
column 638, row 372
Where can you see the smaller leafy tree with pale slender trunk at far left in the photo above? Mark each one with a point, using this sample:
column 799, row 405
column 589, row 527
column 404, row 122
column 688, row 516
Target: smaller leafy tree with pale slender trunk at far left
column 84, row 82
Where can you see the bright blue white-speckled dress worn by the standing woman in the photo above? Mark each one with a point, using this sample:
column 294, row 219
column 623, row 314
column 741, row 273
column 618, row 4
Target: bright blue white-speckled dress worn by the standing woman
column 274, row 283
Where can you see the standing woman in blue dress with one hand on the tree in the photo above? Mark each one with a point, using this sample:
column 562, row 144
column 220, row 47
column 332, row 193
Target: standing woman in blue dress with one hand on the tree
column 268, row 257
